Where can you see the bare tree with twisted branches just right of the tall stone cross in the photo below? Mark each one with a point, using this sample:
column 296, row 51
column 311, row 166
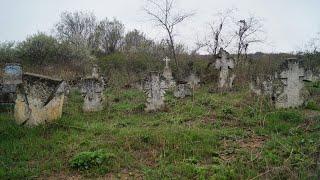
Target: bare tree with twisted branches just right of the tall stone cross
column 249, row 32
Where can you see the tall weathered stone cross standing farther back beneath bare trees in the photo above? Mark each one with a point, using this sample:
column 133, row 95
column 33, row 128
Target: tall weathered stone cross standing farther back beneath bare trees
column 225, row 65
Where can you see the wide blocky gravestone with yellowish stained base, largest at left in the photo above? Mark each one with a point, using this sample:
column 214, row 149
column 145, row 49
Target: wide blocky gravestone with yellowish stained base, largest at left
column 39, row 100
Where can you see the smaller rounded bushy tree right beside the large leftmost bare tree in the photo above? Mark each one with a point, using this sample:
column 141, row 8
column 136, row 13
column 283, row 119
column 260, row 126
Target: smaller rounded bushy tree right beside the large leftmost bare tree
column 110, row 34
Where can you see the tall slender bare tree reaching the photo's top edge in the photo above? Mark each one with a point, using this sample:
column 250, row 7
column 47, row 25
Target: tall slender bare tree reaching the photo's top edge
column 162, row 13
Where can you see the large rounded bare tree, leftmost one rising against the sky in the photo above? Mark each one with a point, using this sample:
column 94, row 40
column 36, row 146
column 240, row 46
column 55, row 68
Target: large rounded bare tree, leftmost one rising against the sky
column 77, row 28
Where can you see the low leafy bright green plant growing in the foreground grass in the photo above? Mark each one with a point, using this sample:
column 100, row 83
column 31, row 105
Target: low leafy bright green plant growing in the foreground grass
column 87, row 160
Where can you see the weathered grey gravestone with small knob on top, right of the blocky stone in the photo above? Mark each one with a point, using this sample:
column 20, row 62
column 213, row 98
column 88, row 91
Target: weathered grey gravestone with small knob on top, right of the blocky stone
column 92, row 90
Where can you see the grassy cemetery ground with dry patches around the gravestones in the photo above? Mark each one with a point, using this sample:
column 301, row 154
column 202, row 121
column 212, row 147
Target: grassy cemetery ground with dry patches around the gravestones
column 220, row 135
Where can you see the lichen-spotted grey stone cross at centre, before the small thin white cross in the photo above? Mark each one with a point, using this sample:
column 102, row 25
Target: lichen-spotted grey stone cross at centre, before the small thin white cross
column 155, row 88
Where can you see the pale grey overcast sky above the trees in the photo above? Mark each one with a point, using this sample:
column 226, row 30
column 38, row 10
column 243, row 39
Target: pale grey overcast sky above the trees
column 288, row 23
